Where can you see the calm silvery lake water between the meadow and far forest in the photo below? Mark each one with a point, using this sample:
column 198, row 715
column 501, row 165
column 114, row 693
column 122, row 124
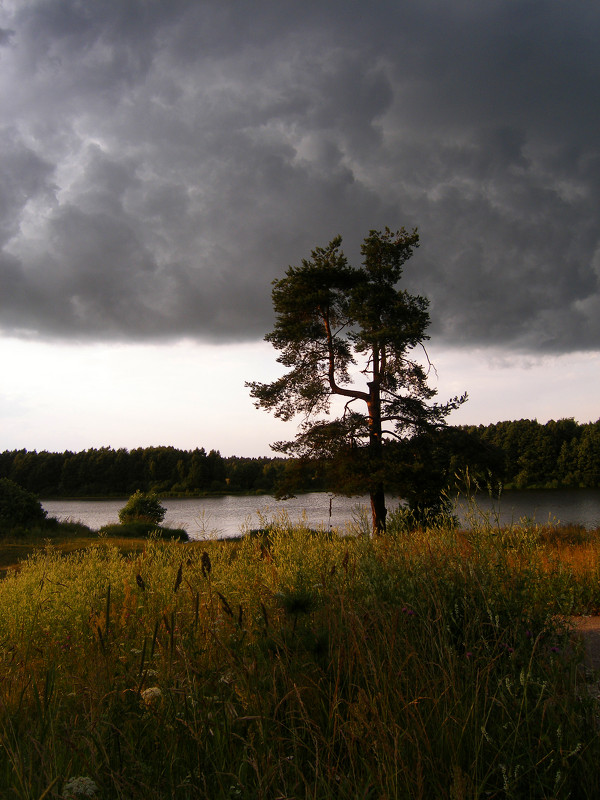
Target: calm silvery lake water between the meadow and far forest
column 229, row 515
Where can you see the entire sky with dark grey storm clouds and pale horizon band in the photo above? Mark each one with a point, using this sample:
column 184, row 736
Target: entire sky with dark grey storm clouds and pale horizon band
column 162, row 162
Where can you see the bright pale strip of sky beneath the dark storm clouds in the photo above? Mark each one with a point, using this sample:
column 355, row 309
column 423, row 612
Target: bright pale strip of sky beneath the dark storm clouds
column 59, row 397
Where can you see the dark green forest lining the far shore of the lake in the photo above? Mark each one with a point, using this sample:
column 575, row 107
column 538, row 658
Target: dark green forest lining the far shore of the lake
column 523, row 454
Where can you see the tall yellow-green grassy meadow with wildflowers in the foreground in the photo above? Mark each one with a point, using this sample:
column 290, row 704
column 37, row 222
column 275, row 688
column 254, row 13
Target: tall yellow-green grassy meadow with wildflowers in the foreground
column 293, row 664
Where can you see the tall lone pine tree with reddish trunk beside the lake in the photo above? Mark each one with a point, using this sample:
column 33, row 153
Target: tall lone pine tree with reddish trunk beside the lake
column 335, row 322
